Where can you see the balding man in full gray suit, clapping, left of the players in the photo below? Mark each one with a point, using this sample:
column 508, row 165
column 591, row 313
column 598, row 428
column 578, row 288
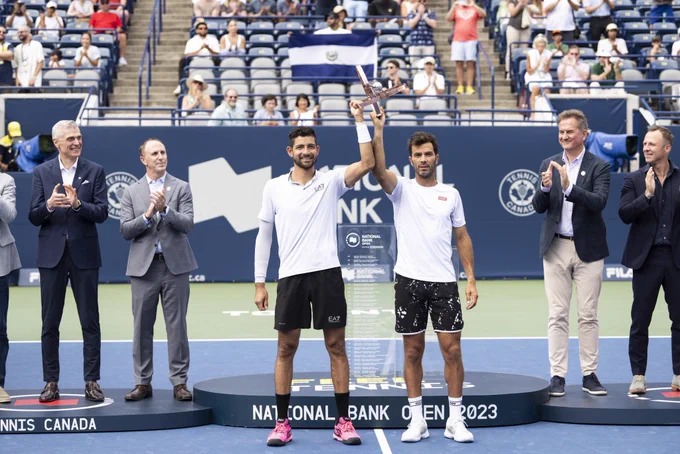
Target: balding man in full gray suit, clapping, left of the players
column 157, row 213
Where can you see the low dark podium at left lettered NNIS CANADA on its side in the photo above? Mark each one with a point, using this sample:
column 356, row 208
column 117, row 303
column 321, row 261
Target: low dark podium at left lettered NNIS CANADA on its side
column 73, row 413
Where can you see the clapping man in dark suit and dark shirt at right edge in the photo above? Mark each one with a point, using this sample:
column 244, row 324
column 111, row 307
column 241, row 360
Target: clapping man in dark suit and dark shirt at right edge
column 649, row 199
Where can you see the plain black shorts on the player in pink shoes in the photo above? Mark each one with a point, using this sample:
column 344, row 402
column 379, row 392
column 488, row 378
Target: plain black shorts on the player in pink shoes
column 321, row 292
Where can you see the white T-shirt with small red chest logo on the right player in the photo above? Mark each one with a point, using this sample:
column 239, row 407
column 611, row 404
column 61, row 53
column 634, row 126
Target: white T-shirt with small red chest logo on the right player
column 423, row 218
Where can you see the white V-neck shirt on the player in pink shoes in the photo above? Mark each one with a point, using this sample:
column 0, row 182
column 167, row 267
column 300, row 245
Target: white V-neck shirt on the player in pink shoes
column 306, row 219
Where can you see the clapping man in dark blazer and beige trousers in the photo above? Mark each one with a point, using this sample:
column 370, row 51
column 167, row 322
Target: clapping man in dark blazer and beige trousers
column 574, row 190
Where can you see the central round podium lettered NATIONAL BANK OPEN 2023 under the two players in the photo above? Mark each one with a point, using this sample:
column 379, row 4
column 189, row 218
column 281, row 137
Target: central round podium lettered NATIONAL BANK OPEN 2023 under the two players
column 491, row 399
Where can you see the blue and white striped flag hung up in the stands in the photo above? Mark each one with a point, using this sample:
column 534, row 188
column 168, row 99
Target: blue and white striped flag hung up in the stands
column 315, row 57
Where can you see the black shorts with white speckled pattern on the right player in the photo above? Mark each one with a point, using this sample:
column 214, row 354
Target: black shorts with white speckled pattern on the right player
column 414, row 299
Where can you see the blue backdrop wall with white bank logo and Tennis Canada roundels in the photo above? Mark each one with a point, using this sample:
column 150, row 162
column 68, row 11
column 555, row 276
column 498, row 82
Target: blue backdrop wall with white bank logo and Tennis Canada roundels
column 493, row 168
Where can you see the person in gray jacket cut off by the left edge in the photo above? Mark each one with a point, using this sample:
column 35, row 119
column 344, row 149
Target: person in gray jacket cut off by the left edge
column 9, row 261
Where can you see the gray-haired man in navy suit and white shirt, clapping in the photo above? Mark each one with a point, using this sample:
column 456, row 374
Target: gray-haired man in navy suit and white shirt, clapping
column 68, row 200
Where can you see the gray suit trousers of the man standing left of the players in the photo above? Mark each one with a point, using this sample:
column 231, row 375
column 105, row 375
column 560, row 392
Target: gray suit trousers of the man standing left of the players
column 174, row 294
